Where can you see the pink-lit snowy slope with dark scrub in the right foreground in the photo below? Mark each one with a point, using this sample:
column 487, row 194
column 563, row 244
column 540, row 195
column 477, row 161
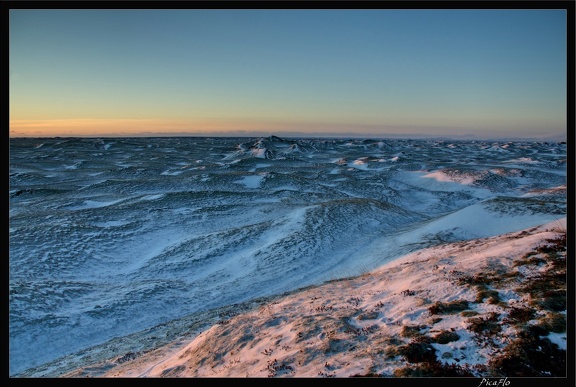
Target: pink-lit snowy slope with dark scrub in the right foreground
column 465, row 309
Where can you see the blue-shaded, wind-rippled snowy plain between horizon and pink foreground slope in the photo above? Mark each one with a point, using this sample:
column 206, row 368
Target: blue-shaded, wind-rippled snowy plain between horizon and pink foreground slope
column 109, row 237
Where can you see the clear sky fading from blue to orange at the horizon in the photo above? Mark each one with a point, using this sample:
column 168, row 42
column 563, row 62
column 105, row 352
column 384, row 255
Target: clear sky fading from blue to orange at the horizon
column 374, row 72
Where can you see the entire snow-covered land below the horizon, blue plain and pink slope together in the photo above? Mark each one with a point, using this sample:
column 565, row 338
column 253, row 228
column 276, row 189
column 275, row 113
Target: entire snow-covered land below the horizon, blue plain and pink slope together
column 285, row 257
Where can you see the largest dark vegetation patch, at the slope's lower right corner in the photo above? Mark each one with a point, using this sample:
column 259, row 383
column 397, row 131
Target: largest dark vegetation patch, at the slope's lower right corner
column 530, row 353
